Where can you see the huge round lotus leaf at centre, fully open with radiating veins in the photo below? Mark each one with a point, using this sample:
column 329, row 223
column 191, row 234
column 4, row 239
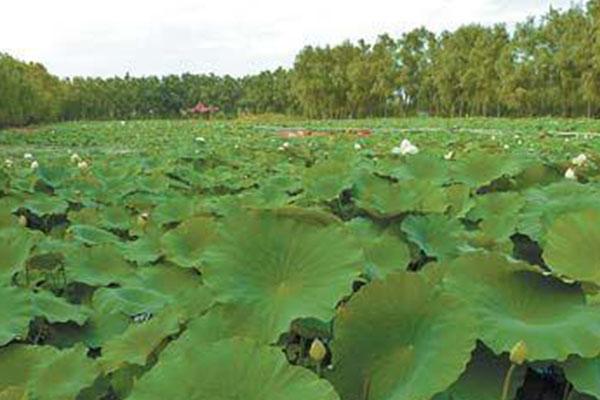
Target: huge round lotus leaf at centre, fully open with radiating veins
column 282, row 267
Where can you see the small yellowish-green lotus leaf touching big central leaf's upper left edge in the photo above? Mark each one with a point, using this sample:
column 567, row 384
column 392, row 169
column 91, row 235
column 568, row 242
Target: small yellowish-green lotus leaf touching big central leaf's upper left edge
column 186, row 244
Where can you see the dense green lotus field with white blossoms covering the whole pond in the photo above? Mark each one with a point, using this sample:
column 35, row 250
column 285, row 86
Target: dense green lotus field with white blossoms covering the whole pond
column 431, row 259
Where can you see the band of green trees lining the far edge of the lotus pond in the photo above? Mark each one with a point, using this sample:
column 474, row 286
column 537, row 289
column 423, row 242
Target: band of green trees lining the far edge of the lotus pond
column 544, row 66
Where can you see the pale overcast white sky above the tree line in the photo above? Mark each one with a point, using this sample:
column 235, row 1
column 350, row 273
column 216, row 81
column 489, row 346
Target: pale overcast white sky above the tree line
column 112, row 37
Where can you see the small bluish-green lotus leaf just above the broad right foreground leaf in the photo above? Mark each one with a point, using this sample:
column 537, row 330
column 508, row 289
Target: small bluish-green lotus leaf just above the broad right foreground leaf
column 437, row 235
